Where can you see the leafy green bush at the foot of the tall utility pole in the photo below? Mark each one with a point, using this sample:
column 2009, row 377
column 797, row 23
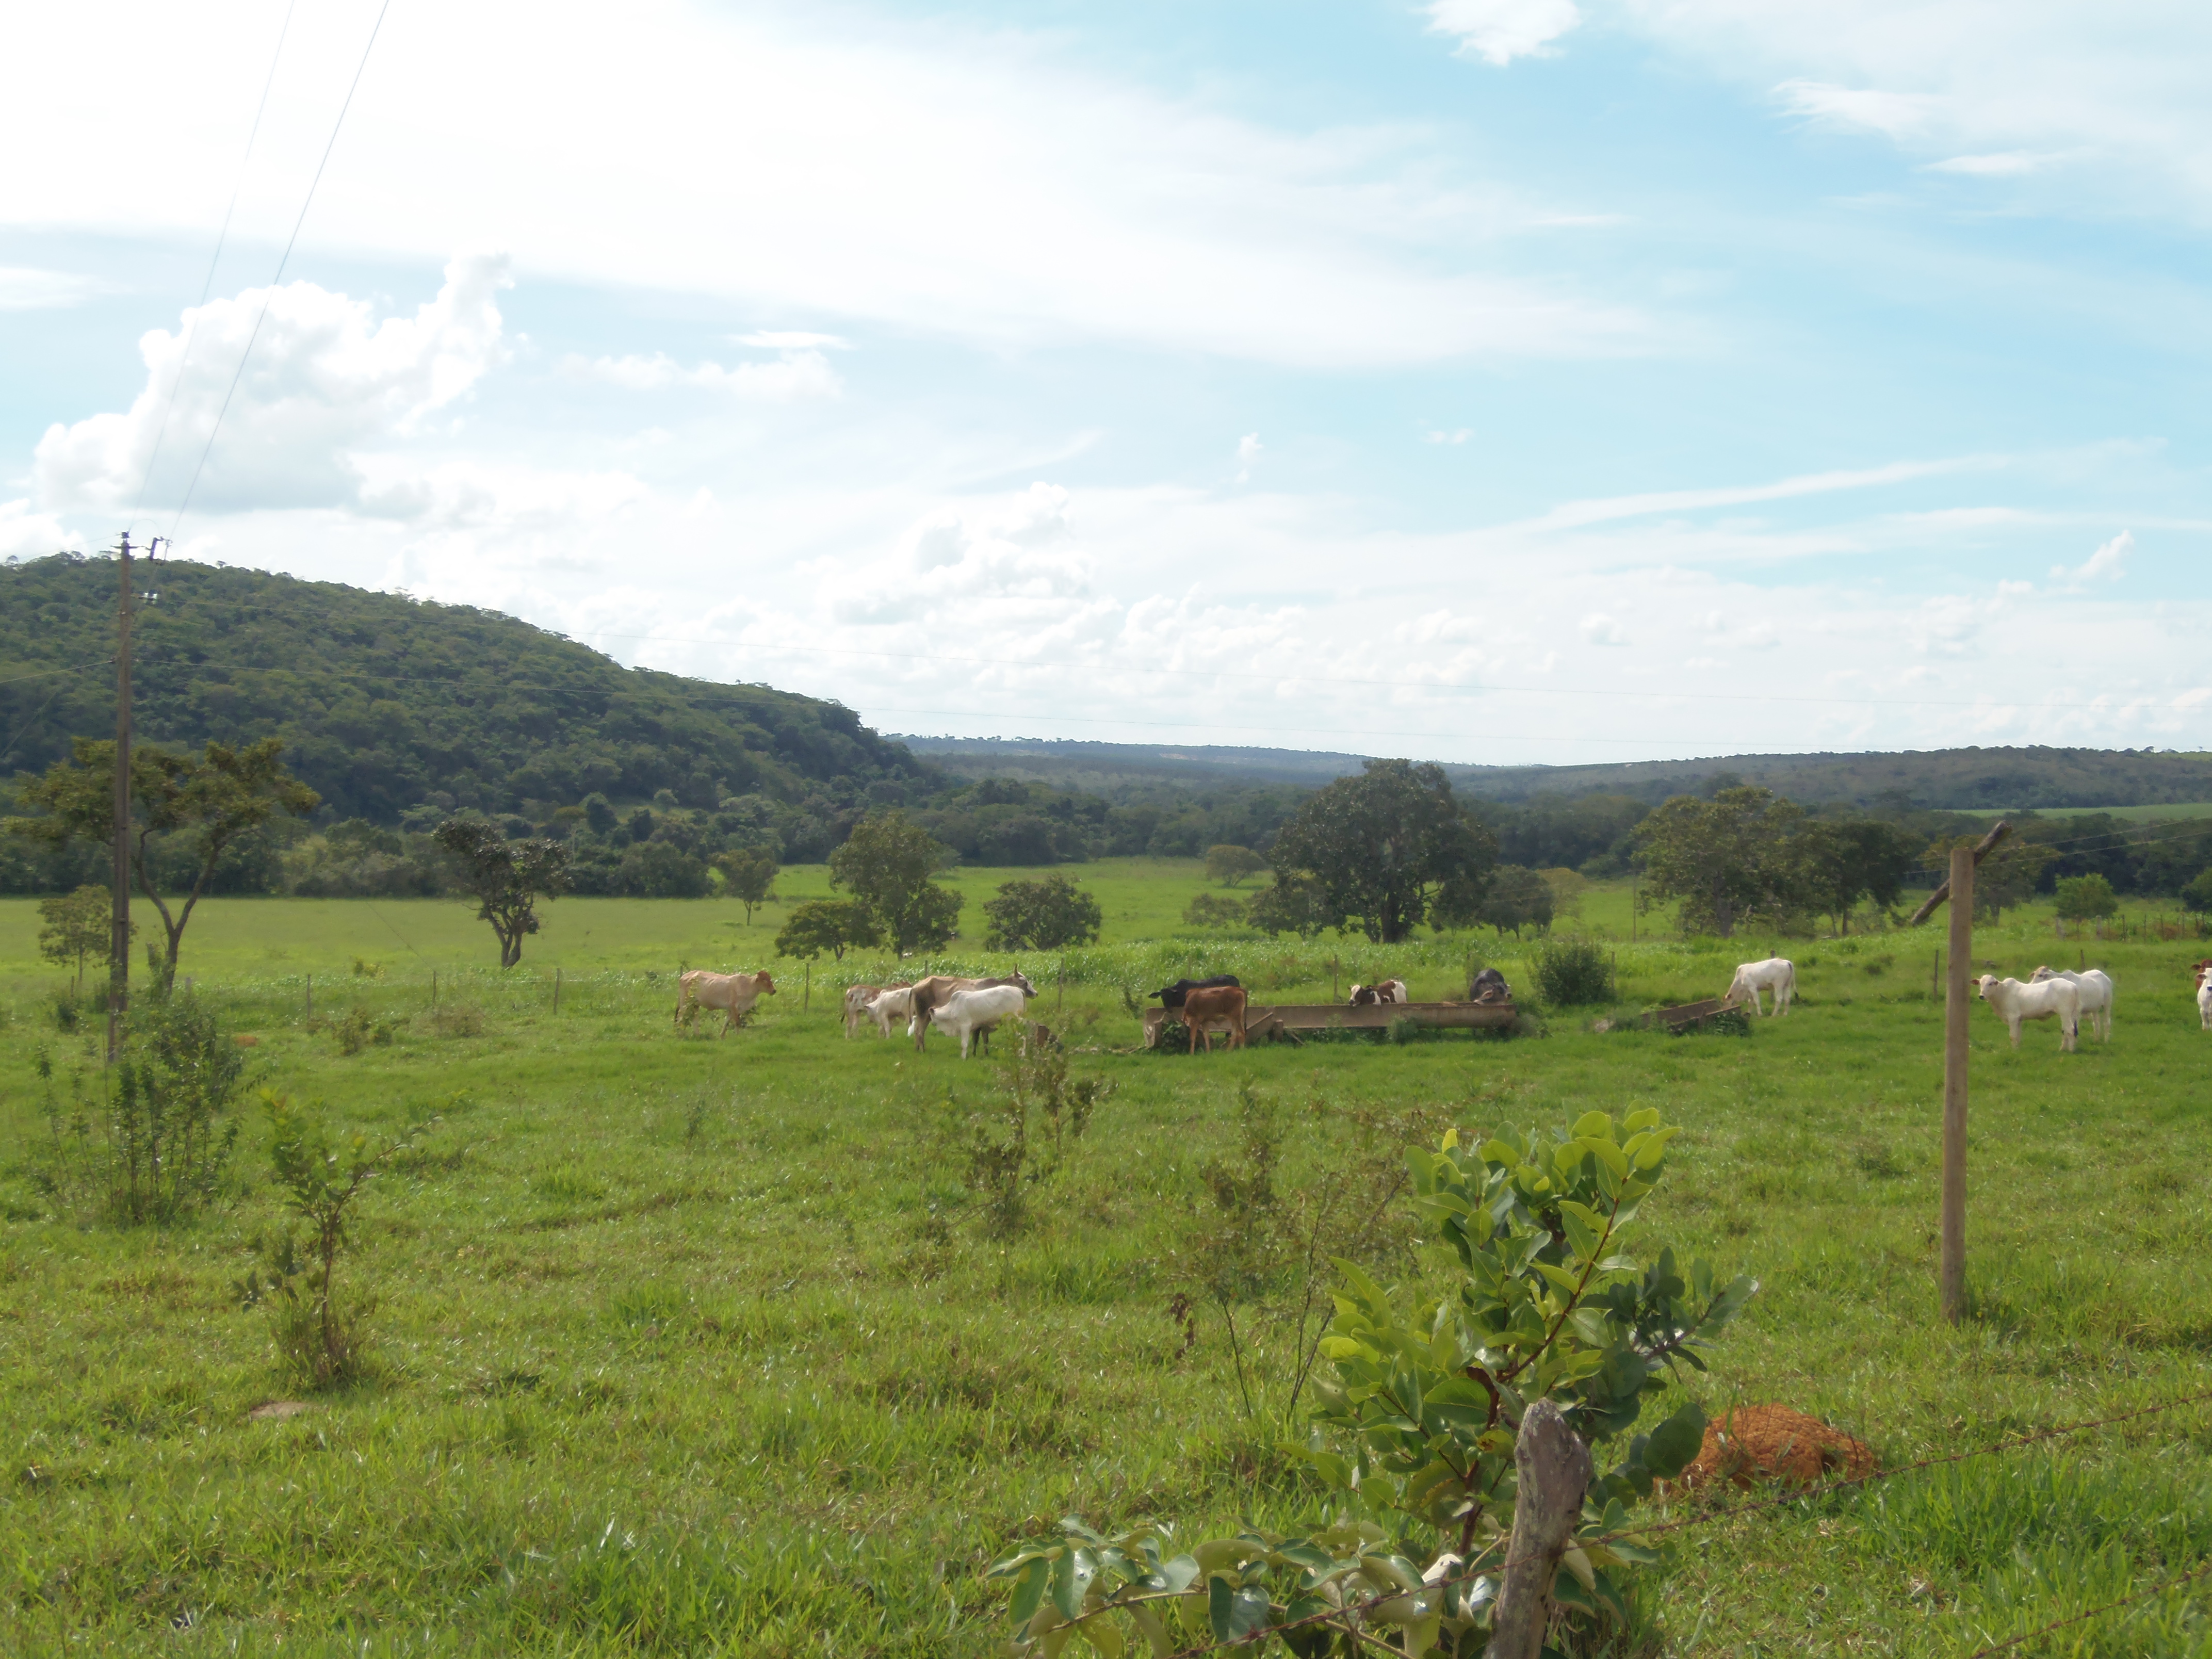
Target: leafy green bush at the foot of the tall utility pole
column 158, row 1140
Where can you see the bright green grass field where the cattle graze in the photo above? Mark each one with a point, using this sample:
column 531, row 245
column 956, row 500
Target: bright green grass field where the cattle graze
column 700, row 1346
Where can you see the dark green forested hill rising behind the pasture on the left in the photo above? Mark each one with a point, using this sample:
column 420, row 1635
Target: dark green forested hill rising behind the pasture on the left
column 390, row 702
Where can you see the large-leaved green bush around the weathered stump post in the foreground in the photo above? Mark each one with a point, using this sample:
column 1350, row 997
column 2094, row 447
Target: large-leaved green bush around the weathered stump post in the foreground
column 1417, row 1421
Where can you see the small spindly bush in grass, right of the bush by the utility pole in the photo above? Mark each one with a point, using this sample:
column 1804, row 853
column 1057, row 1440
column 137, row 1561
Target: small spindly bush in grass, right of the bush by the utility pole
column 320, row 1339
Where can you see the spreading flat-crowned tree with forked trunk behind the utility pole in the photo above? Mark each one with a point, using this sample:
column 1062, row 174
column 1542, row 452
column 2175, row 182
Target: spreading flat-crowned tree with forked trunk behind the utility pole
column 211, row 800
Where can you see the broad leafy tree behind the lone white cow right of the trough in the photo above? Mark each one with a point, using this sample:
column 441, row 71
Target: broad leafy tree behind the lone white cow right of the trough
column 1726, row 859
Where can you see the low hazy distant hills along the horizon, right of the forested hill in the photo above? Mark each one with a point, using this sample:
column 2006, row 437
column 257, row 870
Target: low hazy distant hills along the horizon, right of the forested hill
column 1990, row 780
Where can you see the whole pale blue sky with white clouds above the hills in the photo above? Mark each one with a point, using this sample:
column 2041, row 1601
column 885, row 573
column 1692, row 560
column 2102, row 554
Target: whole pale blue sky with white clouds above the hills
column 1483, row 382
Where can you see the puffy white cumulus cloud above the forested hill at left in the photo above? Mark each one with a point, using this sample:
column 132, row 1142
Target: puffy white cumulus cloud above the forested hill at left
column 324, row 382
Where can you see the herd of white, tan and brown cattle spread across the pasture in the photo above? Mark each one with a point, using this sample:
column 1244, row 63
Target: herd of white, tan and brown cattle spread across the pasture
column 970, row 1010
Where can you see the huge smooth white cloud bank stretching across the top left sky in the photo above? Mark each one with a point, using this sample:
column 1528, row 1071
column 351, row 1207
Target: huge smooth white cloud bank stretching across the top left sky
column 943, row 182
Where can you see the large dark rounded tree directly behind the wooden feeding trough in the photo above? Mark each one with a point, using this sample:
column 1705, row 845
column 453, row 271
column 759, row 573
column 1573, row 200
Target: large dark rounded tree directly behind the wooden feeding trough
column 1390, row 848
